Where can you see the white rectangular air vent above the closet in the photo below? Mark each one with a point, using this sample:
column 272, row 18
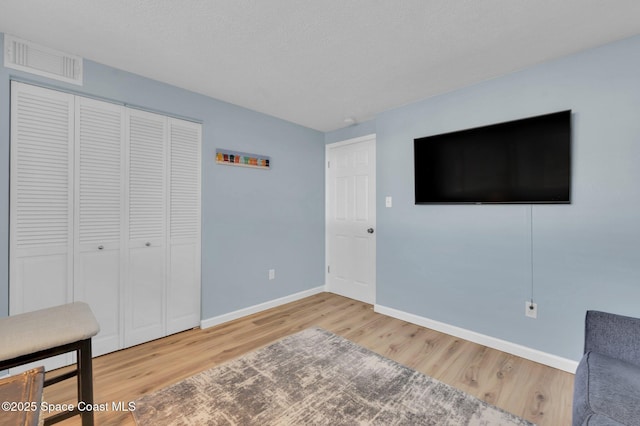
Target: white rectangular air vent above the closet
column 26, row 56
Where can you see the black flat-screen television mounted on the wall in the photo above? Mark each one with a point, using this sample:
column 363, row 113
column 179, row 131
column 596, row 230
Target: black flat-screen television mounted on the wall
column 521, row 161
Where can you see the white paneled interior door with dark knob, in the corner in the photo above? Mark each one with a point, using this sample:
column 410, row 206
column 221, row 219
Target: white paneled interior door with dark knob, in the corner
column 351, row 218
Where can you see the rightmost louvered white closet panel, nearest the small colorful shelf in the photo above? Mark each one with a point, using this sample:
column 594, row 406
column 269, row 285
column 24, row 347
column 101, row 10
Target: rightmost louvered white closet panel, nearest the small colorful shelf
column 183, row 288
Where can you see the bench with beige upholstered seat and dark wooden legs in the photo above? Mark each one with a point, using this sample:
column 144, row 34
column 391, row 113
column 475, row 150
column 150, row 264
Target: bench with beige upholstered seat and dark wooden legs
column 34, row 336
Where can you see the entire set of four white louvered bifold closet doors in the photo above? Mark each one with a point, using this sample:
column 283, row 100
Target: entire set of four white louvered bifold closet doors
column 105, row 208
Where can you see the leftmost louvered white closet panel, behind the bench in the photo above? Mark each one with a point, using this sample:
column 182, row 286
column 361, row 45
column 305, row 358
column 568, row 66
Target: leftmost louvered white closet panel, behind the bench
column 41, row 201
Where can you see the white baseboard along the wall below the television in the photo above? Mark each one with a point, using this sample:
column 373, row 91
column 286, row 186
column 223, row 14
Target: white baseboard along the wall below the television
column 492, row 342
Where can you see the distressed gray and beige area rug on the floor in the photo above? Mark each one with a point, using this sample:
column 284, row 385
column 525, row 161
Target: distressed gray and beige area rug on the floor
column 315, row 378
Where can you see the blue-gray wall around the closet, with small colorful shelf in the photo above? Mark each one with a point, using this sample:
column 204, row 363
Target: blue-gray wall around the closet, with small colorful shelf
column 252, row 220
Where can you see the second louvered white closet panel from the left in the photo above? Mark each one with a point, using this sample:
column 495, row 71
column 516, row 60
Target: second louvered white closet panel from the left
column 99, row 216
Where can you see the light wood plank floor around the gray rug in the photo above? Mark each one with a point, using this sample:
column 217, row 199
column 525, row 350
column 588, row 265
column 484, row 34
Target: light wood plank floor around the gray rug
column 538, row 393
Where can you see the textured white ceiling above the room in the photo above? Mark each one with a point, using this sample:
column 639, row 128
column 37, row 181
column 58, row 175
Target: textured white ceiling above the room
column 317, row 62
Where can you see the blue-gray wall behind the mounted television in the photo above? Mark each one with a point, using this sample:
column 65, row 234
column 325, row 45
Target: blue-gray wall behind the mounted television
column 469, row 265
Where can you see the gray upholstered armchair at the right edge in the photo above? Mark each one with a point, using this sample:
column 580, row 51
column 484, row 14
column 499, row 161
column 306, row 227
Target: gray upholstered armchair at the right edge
column 607, row 382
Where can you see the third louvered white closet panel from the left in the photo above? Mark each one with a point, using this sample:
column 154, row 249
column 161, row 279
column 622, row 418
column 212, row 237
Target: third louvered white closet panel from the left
column 145, row 293
